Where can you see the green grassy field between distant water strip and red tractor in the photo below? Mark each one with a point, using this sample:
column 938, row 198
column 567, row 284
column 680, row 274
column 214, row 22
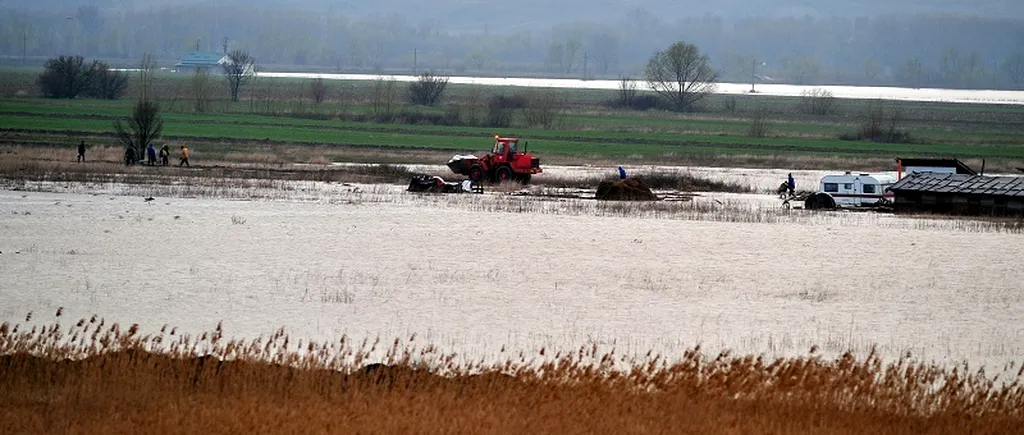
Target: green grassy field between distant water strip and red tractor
column 279, row 112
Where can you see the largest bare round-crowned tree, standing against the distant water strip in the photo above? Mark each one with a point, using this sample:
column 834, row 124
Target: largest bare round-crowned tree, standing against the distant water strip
column 681, row 75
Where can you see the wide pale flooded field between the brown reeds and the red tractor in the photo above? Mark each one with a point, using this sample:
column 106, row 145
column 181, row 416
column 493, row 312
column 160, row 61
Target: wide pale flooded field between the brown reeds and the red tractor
column 483, row 275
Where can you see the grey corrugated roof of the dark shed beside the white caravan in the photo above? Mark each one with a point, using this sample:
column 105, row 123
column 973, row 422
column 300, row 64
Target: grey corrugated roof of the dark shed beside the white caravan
column 961, row 184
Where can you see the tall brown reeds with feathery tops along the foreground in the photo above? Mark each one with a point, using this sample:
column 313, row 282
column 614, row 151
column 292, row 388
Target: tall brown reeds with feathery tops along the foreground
column 99, row 378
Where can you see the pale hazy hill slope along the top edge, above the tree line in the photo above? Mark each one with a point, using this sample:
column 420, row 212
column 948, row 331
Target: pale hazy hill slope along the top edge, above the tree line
column 499, row 13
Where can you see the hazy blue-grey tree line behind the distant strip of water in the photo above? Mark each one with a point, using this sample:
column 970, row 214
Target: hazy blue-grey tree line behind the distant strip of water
column 906, row 51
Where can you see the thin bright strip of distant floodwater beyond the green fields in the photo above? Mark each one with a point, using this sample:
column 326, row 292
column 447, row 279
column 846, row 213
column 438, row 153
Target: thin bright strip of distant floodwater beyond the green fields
column 987, row 97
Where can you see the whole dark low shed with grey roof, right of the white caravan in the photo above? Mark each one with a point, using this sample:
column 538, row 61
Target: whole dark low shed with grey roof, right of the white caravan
column 960, row 195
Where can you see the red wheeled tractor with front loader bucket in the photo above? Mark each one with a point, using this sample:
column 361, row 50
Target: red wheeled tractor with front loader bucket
column 504, row 163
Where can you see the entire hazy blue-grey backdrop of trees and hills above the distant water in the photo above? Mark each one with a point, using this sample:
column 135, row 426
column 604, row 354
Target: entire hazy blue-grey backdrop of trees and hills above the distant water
column 951, row 43
